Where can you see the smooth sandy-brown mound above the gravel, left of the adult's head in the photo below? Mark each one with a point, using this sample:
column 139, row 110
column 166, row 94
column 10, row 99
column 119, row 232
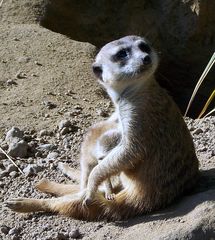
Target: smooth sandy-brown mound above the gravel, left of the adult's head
column 47, row 67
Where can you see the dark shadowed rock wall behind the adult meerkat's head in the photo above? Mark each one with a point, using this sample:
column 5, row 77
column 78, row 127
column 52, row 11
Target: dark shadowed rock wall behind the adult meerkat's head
column 181, row 30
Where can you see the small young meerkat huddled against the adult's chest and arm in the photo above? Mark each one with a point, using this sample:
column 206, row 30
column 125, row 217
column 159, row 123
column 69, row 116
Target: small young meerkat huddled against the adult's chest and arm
column 100, row 139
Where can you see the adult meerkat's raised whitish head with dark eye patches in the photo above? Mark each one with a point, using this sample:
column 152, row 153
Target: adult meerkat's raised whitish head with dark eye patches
column 126, row 61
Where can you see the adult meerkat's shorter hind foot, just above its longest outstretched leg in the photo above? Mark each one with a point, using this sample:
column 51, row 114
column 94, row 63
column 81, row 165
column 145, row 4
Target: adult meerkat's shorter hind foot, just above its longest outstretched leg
column 56, row 189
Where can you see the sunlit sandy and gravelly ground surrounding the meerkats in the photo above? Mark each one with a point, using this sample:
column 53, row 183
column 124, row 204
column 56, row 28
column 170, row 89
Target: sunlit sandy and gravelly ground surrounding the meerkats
column 45, row 78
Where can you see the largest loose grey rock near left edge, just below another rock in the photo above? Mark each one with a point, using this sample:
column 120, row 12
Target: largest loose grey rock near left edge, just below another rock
column 18, row 149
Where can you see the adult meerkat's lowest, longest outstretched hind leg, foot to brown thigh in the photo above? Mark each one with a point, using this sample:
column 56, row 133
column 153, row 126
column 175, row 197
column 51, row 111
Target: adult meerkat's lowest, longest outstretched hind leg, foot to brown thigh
column 122, row 207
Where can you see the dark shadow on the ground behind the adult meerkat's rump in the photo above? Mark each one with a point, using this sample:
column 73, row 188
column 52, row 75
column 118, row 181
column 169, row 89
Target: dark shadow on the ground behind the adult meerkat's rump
column 204, row 191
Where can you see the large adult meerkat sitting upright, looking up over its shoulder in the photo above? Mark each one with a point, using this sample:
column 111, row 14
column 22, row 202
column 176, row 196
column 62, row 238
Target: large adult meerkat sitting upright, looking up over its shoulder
column 155, row 156
